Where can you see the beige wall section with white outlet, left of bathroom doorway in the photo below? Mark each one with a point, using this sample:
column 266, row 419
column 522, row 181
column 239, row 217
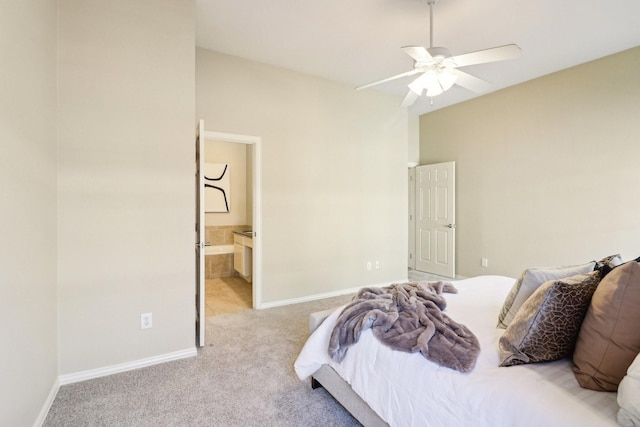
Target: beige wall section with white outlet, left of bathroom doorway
column 126, row 163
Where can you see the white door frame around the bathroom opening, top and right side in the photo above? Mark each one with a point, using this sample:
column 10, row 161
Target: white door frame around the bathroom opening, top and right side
column 256, row 143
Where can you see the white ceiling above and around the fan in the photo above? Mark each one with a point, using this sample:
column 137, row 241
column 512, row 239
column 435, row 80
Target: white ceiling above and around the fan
column 358, row 41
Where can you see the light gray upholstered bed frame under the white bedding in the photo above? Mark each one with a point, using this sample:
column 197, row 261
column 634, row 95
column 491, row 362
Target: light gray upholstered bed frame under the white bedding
column 327, row 378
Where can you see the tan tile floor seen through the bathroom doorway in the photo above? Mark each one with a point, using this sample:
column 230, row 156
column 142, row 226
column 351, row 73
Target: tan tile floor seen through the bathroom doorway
column 227, row 295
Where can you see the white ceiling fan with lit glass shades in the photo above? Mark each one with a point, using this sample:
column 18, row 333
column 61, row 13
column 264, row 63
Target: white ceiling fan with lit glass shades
column 439, row 70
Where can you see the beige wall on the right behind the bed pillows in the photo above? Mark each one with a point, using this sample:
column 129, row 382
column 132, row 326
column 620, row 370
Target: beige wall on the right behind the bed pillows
column 547, row 170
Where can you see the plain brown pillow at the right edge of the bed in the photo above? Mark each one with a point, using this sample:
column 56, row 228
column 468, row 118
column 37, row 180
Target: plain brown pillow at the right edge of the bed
column 609, row 337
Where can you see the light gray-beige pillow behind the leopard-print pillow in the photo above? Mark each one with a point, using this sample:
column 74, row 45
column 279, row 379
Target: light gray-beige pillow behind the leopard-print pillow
column 529, row 281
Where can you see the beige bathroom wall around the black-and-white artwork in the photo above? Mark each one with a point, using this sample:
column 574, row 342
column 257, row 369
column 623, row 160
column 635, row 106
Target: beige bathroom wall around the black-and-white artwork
column 235, row 155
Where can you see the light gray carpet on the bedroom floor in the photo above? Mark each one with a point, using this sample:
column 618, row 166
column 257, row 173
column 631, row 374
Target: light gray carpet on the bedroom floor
column 243, row 377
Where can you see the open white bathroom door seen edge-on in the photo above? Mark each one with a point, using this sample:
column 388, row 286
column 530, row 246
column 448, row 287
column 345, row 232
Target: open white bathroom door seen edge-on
column 200, row 237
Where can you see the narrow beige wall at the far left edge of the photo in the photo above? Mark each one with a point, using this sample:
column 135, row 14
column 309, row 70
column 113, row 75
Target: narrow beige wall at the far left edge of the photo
column 28, row 306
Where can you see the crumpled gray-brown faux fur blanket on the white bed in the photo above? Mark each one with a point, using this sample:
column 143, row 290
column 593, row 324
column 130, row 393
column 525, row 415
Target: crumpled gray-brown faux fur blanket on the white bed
column 407, row 317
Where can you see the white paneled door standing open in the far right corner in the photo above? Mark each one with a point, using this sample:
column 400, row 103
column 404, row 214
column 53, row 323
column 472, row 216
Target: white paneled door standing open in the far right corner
column 435, row 219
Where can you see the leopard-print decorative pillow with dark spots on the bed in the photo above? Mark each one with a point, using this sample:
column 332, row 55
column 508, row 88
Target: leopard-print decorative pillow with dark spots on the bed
column 547, row 325
